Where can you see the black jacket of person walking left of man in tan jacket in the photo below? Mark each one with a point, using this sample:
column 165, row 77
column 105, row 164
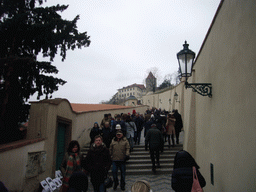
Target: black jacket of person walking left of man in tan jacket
column 97, row 163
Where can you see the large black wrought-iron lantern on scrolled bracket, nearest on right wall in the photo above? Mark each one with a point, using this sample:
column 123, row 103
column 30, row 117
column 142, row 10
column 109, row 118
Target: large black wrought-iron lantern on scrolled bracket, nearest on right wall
column 186, row 59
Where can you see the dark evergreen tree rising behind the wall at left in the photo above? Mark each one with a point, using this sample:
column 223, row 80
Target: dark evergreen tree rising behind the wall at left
column 26, row 31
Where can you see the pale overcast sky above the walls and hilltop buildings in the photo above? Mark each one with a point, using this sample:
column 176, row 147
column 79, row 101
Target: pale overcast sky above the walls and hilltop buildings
column 128, row 37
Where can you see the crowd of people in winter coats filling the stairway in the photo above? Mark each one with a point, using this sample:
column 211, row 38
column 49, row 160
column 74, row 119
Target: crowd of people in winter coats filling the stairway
column 113, row 140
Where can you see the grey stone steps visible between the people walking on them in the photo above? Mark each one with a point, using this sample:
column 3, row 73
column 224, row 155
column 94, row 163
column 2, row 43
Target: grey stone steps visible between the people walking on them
column 140, row 162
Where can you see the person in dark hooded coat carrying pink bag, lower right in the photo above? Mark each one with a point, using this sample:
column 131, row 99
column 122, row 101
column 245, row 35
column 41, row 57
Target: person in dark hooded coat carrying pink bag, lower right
column 182, row 176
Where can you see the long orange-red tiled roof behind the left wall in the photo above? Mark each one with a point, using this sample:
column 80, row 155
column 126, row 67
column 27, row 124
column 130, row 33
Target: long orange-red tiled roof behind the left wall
column 77, row 107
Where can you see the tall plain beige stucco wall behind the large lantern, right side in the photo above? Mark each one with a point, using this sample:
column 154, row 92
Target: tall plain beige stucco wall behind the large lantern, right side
column 225, row 124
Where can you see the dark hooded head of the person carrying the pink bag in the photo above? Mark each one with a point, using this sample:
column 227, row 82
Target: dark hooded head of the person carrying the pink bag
column 184, row 159
